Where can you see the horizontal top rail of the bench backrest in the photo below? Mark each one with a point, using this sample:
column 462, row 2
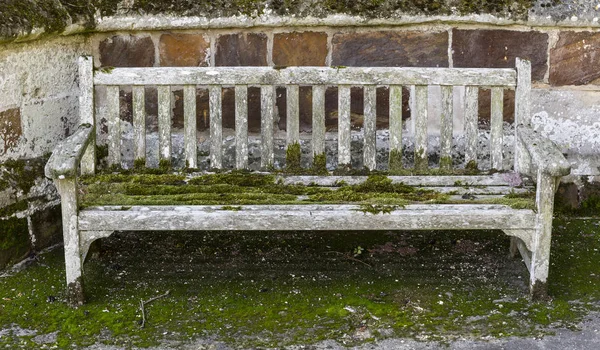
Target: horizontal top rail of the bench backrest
column 307, row 76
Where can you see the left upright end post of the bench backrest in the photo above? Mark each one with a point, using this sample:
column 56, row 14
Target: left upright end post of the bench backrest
column 86, row 111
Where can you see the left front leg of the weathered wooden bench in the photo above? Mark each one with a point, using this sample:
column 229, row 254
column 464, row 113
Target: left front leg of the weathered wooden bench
column 73, row 258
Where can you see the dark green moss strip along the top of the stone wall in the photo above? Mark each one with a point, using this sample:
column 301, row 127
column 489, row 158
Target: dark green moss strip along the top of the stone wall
column 22, row 16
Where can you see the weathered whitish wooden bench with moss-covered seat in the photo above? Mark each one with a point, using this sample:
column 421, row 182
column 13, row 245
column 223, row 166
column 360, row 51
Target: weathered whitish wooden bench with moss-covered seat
column 428, row 193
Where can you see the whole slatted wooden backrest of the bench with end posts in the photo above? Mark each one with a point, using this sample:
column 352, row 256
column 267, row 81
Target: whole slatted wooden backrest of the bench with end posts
column 268, row 78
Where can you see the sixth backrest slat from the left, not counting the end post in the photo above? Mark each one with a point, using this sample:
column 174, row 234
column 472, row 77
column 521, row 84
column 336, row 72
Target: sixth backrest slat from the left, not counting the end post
column 241, row 126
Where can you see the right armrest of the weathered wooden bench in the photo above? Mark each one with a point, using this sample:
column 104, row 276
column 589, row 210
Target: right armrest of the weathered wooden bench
column 543, row 152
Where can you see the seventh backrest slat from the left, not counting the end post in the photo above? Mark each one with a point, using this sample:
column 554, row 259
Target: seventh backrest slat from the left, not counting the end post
column 267, row 101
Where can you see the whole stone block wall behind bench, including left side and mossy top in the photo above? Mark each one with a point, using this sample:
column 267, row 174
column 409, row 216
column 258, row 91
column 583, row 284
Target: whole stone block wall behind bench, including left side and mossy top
column 40, row 41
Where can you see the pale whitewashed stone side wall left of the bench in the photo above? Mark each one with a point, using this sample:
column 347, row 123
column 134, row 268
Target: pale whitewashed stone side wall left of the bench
column 38, row 85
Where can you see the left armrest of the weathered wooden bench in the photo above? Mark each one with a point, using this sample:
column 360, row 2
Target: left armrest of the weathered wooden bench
column 64, row 161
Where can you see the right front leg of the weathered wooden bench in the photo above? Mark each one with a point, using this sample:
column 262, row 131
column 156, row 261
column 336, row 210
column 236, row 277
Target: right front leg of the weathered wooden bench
column 540, row 253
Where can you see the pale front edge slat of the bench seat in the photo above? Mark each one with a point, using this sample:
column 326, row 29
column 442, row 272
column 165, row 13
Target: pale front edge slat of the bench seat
column 329, row 217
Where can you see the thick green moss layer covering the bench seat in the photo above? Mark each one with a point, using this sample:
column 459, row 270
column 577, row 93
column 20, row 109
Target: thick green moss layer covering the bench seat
column 242, row 187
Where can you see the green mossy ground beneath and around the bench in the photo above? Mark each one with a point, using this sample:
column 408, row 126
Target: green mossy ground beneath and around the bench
column 274, row 289
